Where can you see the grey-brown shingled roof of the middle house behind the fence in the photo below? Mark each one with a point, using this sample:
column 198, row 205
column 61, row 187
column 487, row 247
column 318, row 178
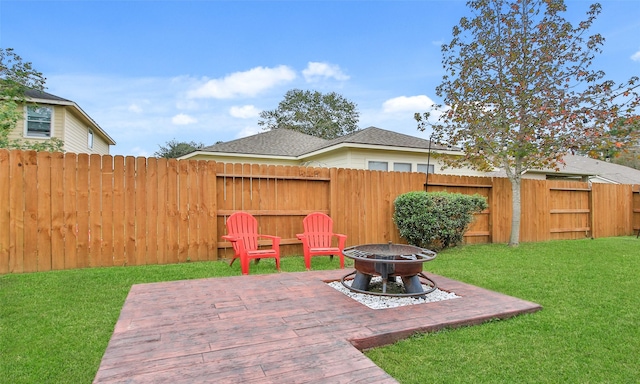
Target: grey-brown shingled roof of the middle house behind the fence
column 285, row 142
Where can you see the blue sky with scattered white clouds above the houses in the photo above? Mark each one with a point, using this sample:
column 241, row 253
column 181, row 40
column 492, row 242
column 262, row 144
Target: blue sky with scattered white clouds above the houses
column 151, row 71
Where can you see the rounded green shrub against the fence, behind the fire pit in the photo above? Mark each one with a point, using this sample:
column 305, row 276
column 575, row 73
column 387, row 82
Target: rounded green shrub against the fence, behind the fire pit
column 435, row 220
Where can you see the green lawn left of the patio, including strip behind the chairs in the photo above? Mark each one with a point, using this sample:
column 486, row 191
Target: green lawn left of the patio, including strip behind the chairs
column 55, row 326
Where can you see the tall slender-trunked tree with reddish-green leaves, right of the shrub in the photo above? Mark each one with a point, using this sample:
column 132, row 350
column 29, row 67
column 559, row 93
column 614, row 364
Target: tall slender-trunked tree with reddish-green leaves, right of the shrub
column 520, row 93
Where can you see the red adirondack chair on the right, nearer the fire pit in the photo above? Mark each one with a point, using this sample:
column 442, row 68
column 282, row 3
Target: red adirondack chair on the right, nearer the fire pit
column 317, row 239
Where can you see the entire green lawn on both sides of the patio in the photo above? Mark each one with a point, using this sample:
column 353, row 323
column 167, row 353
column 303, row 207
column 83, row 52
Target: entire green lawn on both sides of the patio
column 55, row 326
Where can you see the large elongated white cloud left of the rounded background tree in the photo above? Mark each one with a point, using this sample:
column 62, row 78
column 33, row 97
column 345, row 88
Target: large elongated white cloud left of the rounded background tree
column 248, row 83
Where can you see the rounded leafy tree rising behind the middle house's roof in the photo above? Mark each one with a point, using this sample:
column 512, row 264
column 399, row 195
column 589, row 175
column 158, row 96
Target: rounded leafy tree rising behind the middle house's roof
column 323, row 115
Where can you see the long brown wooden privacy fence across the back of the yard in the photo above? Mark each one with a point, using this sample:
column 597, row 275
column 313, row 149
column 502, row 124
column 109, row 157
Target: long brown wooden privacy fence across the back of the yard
column 64, row 211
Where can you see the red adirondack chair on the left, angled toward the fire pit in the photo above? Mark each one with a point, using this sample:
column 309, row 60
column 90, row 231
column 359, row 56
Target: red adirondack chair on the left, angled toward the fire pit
column 242, row 232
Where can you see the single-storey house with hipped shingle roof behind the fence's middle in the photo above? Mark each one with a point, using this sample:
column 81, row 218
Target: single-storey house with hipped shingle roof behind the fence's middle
column 371, row 148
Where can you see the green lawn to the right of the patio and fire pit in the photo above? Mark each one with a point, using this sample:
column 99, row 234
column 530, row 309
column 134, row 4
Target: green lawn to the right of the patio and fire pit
column 587, row 332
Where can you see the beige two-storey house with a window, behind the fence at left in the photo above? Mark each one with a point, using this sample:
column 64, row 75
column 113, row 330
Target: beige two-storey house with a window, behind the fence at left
column 48, row 116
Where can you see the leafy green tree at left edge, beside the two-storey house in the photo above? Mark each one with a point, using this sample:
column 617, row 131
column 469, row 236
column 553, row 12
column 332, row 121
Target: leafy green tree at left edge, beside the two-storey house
column 16, row 77
